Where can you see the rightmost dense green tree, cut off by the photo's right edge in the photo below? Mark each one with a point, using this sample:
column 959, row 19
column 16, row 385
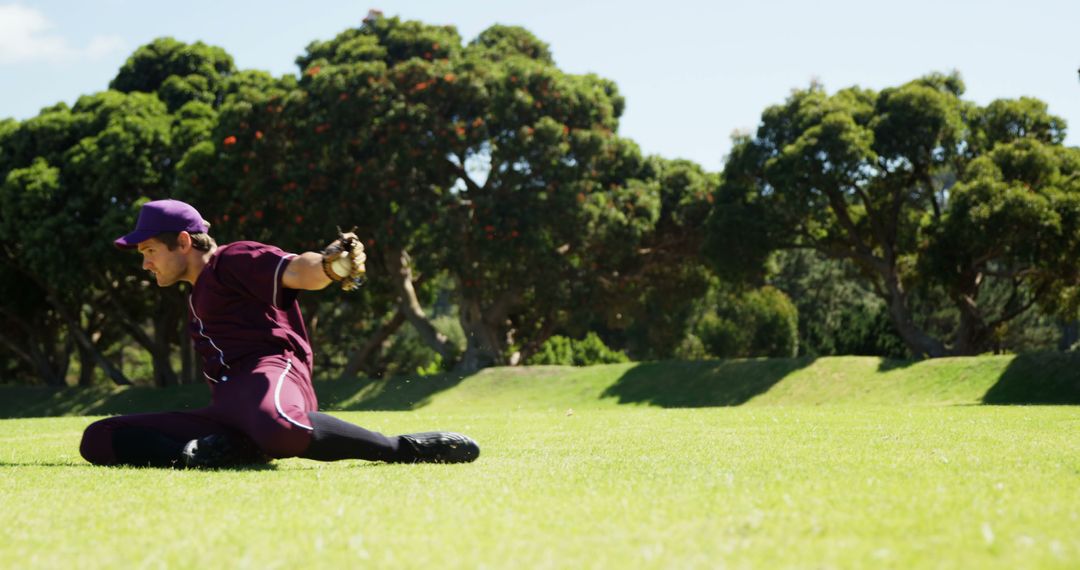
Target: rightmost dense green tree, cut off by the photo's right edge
column 1009, row 239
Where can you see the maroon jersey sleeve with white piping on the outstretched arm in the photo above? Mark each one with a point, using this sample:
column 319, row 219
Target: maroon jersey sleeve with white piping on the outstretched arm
column 258, row 269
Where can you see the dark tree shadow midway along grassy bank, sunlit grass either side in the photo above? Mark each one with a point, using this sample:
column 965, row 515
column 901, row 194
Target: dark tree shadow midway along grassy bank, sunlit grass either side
column 703, row 384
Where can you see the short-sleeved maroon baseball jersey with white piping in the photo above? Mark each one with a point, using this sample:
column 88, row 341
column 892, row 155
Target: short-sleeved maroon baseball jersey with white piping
column 240, row 311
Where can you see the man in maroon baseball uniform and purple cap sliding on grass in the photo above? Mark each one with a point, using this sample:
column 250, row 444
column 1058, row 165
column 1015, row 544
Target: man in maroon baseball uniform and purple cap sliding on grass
column 247, row 324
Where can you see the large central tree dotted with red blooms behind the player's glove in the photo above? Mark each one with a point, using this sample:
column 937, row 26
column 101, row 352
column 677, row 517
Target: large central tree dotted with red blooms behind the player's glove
column 465, row 159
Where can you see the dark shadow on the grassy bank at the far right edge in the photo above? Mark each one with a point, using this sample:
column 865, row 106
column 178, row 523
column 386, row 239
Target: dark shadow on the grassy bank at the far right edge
column 1050, row 378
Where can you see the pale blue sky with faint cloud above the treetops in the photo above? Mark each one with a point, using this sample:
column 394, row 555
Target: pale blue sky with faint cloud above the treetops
column 693, row 73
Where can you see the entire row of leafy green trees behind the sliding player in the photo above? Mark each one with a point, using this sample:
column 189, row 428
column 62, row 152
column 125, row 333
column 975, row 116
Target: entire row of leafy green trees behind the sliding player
column 502, row 207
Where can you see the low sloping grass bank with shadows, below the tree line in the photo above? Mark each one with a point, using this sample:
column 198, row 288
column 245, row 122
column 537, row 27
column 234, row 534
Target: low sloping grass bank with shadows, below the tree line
column 1051, row 378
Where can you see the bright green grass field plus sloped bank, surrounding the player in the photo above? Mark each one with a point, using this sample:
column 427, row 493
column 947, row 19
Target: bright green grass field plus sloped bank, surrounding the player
column 829, row 464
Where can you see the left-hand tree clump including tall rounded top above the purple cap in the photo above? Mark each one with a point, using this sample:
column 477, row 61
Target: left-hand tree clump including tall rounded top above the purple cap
column 90, row 168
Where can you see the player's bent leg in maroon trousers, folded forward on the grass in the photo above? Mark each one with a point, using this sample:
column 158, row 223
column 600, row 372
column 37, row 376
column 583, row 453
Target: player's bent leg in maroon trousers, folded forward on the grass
column 157, row 440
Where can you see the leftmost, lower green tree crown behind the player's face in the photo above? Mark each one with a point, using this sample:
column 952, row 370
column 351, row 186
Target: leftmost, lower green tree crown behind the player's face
column 71, row 177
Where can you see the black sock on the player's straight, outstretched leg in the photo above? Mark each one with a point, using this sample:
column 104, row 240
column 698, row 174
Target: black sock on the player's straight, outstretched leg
column 333, row 440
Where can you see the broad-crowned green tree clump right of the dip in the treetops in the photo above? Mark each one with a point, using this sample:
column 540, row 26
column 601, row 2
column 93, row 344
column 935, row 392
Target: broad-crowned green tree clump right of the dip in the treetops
column 900, row 183
